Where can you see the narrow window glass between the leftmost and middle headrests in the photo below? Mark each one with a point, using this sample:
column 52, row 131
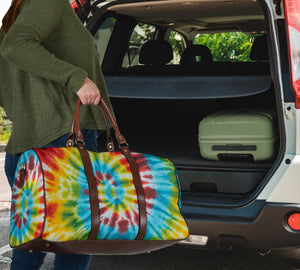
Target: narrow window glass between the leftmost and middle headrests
column 178, row 45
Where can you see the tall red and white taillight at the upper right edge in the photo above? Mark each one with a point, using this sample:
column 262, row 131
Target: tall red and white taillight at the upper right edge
column 292, row 11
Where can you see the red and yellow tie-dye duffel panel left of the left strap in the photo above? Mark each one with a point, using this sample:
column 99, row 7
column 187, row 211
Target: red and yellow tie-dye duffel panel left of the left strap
column 67, row 195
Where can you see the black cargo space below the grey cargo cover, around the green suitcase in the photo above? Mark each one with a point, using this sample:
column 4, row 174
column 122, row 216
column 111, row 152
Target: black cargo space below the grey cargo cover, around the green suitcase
column 169, row 128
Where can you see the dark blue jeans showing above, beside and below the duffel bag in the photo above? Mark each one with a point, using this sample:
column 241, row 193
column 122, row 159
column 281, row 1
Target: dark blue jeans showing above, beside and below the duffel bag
column 23, row 260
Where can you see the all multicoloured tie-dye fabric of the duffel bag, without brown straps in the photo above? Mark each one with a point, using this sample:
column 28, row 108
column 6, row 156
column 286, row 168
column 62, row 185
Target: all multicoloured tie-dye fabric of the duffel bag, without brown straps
column 66, row 200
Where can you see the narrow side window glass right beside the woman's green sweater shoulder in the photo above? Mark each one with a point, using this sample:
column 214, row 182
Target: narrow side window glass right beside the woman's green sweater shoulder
column 102, row 37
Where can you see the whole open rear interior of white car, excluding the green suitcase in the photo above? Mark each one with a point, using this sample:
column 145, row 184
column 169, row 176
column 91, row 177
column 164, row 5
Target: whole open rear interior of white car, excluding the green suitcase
column 160, row 95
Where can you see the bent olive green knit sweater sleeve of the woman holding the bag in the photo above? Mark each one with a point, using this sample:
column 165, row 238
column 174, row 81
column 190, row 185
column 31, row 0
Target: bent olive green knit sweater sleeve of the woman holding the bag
column 23, row 44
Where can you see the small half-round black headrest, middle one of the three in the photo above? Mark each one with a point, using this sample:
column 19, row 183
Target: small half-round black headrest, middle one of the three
column 190, row 53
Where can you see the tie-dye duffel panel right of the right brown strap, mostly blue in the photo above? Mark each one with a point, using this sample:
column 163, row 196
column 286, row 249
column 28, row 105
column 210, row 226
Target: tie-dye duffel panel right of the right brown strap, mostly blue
column 160, row 183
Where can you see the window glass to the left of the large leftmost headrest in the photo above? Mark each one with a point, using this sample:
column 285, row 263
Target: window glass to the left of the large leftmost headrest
column 140, row 35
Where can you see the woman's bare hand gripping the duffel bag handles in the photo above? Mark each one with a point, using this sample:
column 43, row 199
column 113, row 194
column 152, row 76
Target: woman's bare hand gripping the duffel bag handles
column 89, row 93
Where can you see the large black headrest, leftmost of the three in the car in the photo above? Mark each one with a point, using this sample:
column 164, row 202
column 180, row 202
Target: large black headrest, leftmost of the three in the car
column 156, row 52
